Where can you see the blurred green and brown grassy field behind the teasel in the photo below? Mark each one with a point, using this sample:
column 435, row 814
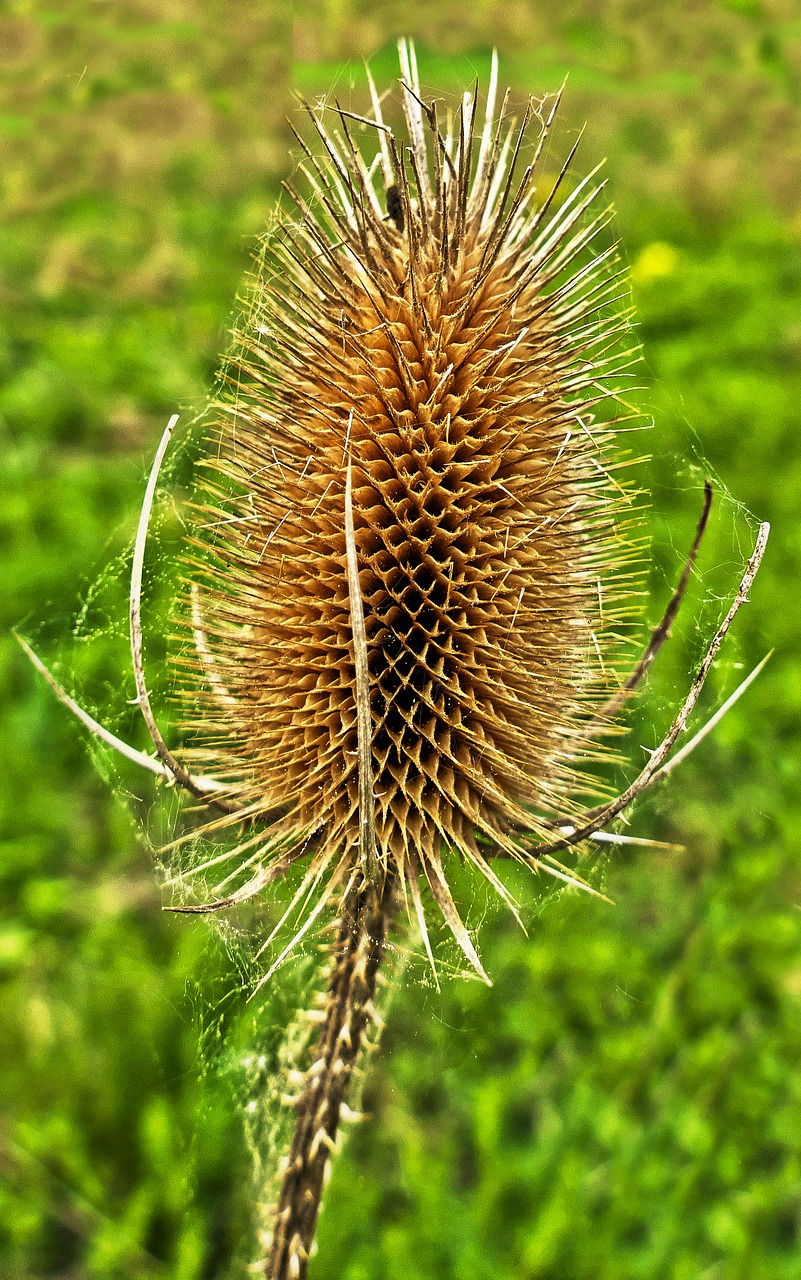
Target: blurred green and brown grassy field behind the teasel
column 626, row 1100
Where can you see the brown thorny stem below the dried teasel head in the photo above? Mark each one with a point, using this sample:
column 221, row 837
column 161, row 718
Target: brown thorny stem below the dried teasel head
column 361, row 940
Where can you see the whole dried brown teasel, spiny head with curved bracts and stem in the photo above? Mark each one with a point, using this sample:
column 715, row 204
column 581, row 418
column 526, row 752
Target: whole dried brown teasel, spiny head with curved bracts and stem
column 415, row 565
